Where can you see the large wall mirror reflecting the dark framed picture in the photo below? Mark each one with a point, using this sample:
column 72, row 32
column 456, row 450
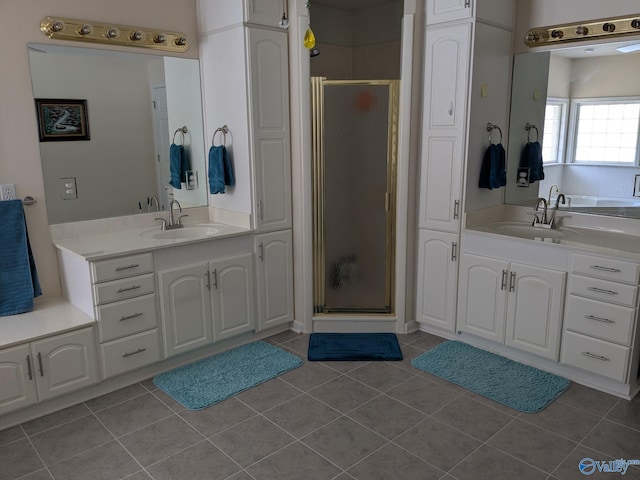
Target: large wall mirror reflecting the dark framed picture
column 137, row 106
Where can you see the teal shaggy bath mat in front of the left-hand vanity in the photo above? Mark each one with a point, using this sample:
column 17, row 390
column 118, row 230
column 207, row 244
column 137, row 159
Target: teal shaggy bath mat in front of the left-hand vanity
column 203, row 383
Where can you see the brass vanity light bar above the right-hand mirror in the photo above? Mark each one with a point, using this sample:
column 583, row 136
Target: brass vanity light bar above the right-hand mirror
column 573, row 32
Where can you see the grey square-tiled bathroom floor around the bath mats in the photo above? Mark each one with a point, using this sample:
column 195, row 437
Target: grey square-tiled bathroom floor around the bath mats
column 344, row 420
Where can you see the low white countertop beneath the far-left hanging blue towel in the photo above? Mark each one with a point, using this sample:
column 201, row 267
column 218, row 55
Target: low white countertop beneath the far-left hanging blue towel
column 50, row 316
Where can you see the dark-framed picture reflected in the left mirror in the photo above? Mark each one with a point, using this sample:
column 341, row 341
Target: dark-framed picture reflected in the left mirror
column 62, row 120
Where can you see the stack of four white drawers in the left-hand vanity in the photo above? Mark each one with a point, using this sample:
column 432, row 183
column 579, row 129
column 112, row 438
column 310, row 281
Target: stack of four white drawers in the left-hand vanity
column 125, row 308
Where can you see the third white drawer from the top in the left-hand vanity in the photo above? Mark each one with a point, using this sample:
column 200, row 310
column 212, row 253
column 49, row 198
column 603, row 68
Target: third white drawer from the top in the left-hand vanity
column 127, row 317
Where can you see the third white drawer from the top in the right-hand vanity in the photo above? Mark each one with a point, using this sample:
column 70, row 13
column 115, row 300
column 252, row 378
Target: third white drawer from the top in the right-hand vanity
column 599, row 319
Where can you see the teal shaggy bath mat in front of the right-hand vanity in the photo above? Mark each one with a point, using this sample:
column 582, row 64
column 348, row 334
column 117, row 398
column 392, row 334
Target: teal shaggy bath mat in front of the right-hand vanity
column 514, row 384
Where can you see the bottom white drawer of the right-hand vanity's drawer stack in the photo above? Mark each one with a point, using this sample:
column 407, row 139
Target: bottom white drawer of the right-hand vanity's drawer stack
column 597, row 356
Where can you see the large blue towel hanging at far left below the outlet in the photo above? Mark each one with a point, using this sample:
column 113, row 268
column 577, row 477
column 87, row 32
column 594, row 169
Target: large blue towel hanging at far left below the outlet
column 18, row 276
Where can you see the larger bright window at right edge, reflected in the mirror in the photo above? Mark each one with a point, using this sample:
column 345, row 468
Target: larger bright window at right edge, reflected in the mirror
column 606, row 130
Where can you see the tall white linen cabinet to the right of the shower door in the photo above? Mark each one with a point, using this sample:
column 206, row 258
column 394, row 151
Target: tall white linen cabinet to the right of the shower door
column 467, row 70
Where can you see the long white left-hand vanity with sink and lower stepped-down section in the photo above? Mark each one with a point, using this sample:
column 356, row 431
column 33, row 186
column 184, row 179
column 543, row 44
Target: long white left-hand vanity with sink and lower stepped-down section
column 138, row 301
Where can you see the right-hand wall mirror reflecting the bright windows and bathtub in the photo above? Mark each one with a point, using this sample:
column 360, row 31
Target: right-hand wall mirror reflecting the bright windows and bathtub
column 585, row 104
